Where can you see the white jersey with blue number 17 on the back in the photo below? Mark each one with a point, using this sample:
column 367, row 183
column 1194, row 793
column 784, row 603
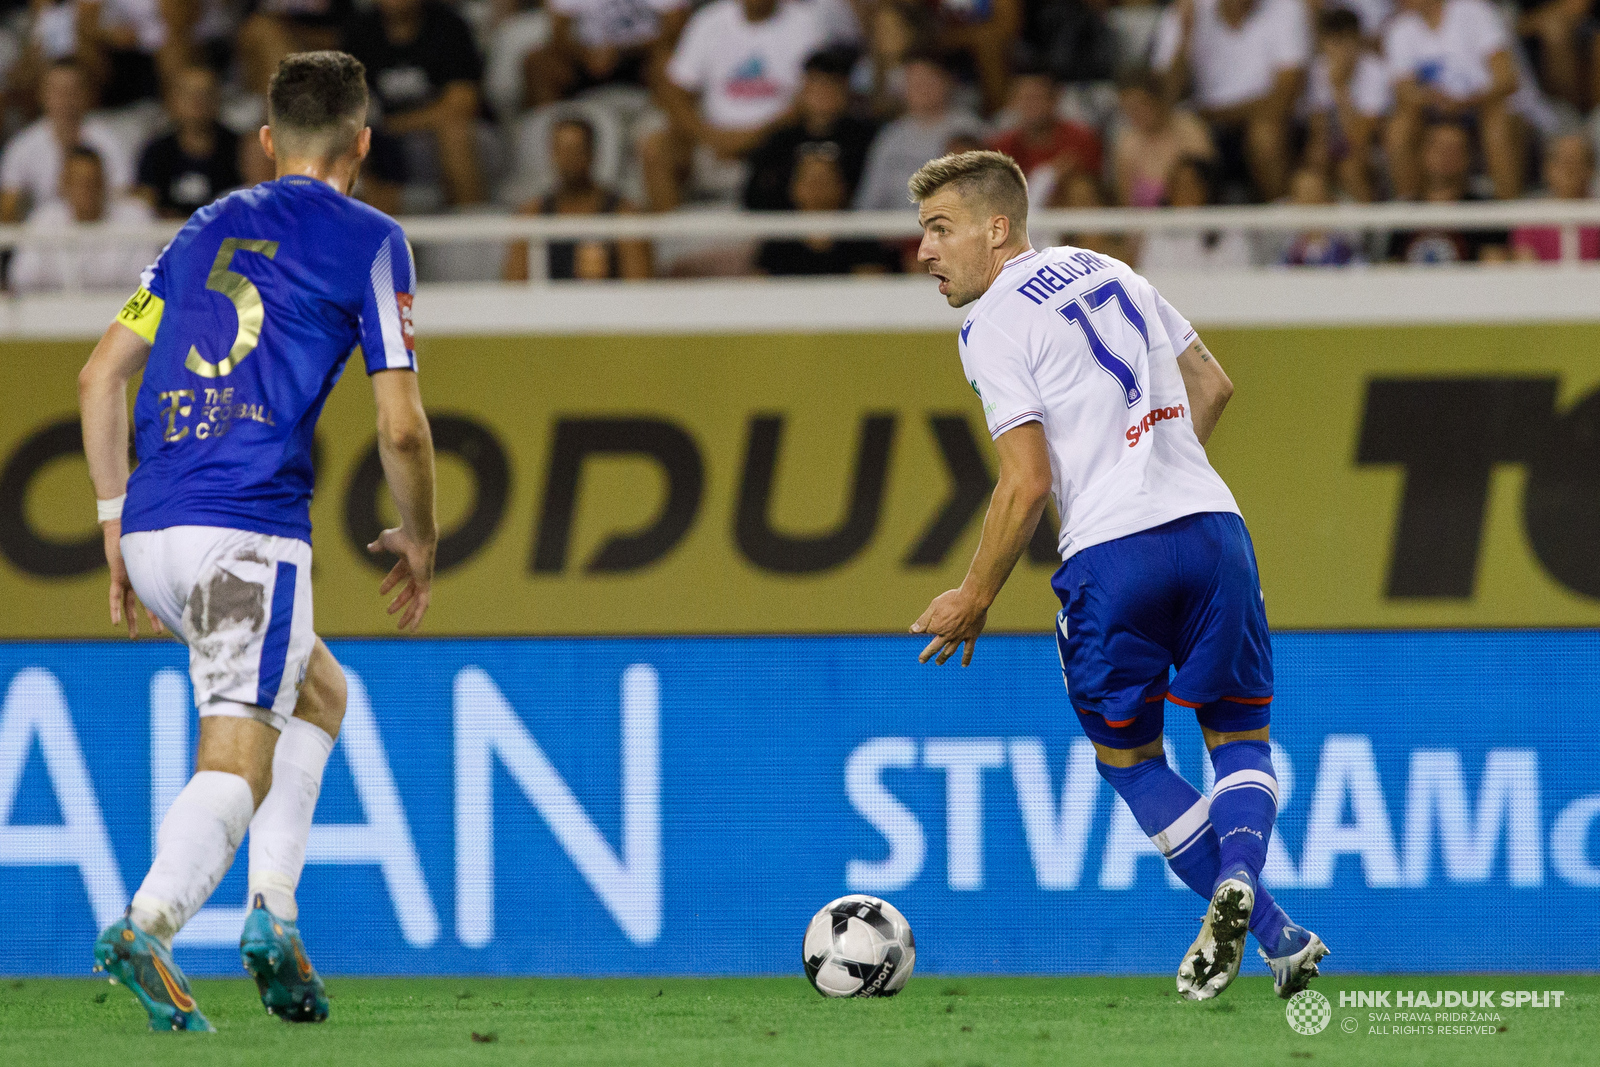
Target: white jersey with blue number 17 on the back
column 1087, row 348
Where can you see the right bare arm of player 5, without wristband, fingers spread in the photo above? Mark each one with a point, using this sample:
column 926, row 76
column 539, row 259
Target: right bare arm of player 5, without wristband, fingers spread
column 406, row 446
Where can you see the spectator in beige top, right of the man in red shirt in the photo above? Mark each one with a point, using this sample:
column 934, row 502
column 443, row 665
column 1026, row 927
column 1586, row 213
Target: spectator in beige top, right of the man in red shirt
column 1151, row 138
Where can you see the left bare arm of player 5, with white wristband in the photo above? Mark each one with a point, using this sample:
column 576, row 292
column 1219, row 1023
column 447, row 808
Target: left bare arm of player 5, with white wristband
column 103, row 406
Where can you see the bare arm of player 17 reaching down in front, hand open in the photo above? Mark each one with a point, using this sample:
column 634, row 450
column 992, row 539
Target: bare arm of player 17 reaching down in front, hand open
column 1015, row 510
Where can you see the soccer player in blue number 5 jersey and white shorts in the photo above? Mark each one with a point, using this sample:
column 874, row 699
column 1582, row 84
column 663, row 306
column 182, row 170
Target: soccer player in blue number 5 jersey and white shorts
column 242, row 327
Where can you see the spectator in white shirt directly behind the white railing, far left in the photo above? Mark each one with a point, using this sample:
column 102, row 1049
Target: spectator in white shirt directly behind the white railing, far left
column 66, row 265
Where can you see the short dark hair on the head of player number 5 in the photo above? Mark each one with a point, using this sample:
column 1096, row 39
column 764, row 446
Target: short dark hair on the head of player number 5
column 318, row 103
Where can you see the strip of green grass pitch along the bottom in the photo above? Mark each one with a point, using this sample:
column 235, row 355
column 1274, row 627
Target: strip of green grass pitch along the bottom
column 758, row 1021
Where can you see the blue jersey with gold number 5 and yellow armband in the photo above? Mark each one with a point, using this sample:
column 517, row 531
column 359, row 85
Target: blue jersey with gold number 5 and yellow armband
column 252, row 313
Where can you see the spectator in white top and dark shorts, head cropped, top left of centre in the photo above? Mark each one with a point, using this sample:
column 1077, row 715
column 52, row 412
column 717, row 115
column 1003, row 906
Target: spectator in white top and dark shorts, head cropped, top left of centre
column 602, row 42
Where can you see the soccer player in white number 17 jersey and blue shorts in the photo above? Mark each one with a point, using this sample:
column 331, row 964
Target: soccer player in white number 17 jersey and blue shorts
column 1100, row 394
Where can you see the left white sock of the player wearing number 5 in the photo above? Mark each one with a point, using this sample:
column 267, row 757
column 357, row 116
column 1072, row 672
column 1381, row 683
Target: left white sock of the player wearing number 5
column 194, row 849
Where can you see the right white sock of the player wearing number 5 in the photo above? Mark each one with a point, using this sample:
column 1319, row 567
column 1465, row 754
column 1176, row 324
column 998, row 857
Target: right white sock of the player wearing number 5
column 278, row 834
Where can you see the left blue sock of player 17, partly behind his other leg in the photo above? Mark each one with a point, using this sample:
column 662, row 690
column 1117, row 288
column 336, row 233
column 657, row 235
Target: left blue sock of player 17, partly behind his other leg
column 1175, row 817
